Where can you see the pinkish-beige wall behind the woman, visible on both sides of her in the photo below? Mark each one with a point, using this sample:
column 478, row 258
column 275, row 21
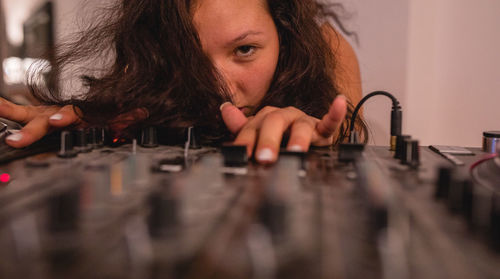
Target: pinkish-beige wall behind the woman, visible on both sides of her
column 440, row 58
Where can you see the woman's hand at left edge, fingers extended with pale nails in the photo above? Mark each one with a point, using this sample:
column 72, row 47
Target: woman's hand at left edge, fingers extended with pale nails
column 37, row 121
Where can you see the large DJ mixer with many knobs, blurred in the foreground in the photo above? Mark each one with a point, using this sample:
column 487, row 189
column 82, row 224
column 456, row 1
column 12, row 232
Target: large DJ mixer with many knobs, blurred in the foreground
column 82, row 209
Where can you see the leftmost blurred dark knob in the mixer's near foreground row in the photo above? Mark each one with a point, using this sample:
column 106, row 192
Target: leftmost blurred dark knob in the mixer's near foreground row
column 64, row 210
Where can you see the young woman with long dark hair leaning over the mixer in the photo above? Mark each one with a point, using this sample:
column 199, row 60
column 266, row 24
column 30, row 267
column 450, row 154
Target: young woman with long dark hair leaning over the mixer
column 254, row 69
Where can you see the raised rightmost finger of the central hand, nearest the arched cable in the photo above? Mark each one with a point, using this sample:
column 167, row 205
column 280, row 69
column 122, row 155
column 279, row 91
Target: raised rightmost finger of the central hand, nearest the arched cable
column 333, row 119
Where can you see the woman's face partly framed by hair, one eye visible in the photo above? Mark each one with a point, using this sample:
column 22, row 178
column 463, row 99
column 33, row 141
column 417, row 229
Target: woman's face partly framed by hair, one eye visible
column 241, row 39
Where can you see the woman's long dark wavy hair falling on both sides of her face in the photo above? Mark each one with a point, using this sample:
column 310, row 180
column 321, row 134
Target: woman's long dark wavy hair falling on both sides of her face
column 146, row 54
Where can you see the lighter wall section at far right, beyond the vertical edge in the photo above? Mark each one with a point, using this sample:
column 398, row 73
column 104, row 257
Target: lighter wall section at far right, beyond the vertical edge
column 454, row 70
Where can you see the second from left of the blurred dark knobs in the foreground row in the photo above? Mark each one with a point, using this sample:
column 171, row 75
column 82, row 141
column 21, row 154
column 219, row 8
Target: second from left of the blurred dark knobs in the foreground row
column 164, row 215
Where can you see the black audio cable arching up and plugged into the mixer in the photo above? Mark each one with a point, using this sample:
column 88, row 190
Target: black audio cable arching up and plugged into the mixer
column 396, row 117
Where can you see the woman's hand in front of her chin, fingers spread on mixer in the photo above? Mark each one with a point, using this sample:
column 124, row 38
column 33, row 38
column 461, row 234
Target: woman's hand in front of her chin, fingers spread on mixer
column 265, row 130
